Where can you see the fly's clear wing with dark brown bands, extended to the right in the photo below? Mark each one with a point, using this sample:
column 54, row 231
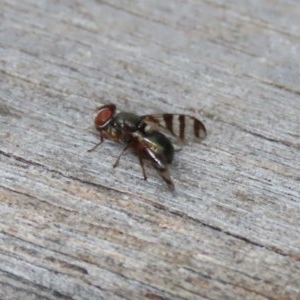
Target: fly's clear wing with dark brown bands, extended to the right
column 182, row 127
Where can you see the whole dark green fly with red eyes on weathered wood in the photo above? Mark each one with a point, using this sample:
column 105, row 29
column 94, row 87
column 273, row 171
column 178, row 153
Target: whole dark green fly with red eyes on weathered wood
column 147, row 135
